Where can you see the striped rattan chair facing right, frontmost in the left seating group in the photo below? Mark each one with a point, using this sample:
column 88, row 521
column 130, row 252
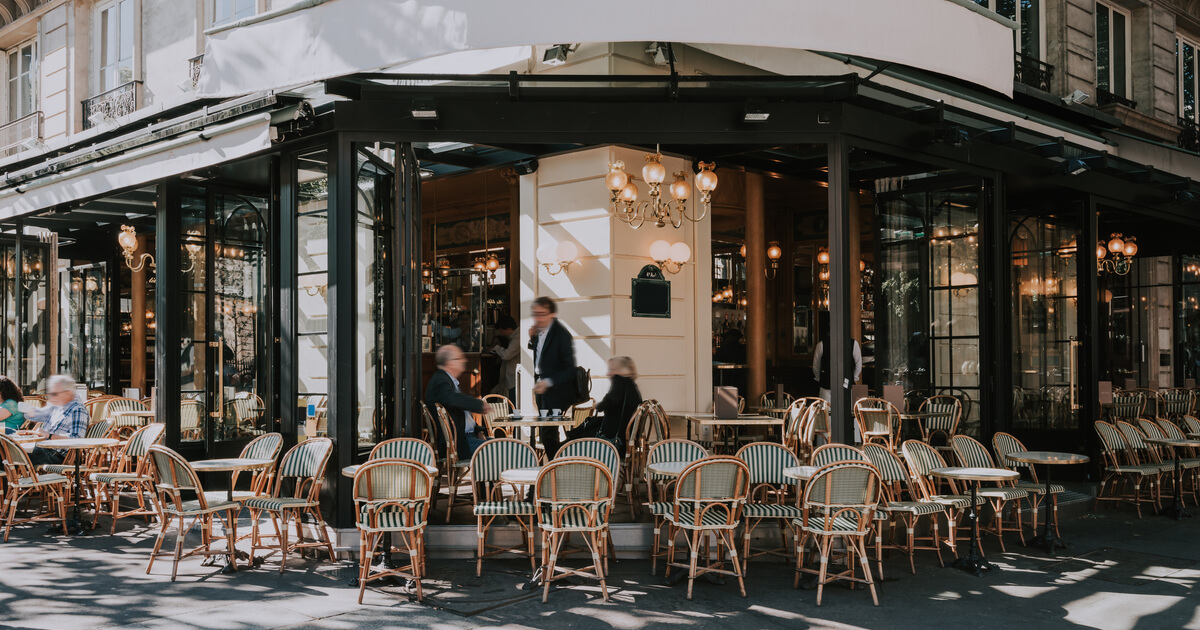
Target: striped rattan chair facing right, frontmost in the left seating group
column 175, row 478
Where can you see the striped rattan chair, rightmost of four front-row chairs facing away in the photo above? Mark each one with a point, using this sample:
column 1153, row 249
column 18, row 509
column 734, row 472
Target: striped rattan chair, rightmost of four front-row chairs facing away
column 839, row 505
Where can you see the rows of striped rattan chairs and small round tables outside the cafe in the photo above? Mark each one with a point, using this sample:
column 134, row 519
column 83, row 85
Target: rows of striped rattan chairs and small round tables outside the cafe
column 833, row 512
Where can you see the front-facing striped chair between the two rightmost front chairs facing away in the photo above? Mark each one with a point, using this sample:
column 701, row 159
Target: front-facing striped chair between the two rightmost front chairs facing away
column 770, row 491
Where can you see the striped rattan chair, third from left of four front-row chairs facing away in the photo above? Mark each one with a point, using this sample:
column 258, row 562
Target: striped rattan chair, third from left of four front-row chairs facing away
column 709, row 502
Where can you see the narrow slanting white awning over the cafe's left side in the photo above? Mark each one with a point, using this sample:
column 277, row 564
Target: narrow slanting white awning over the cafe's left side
column 190, row 152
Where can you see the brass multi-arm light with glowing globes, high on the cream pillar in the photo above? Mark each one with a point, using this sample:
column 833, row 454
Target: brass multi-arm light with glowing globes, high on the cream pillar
column 625, row 194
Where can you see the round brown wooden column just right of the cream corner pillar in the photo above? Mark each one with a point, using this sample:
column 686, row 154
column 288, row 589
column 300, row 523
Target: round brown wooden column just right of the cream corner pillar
column 757, row 290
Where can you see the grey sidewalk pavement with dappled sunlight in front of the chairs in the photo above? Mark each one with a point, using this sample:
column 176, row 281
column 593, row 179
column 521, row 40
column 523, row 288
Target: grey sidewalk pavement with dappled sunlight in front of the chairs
column 1123, row 574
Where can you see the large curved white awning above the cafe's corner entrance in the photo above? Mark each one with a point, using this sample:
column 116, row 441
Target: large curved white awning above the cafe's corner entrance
column 338, row 38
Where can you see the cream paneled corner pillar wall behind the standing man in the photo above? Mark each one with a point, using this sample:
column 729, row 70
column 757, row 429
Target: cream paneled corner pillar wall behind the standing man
column 567, row 200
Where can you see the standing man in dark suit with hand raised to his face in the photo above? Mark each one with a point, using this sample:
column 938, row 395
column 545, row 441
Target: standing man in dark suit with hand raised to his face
column 554, row 359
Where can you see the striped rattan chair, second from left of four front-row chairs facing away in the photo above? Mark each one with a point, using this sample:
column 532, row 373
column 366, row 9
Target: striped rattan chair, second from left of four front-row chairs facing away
column 574, row 496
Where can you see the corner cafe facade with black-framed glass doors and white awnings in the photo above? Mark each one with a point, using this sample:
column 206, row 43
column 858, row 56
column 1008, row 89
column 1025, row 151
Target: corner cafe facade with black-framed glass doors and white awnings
column 305, row 235
